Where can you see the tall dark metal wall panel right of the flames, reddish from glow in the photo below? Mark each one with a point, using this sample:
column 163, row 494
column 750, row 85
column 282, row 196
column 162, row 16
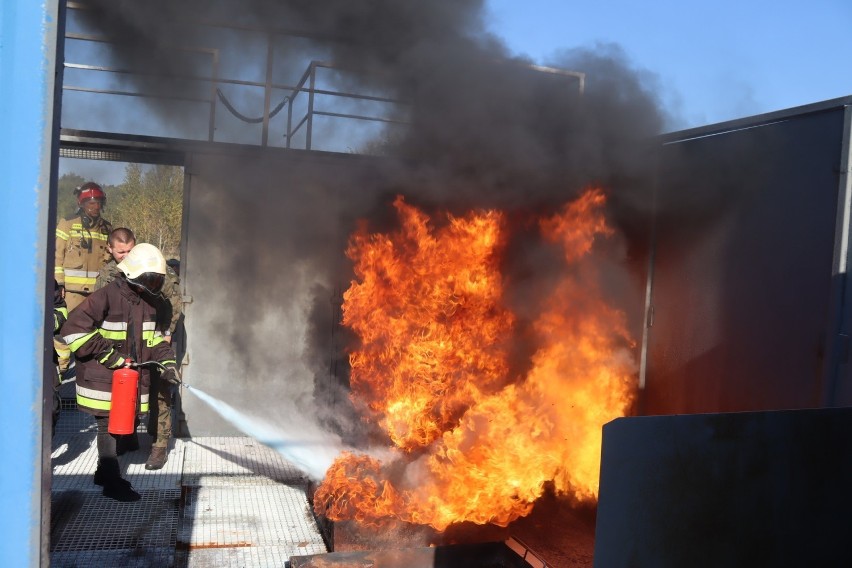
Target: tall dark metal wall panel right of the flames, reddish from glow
column 745, row 237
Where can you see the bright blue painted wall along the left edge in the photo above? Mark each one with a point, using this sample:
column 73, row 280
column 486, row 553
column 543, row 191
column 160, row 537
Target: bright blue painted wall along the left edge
column 28, row 35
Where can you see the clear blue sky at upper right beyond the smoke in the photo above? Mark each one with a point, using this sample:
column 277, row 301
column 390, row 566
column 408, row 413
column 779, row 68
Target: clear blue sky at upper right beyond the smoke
column 715, row 61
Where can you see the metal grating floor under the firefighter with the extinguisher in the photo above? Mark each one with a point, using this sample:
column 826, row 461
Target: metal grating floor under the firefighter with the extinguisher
column 218, row 502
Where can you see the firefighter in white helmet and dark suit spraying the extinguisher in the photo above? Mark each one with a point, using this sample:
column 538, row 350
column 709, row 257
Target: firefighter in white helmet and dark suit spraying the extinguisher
column 114, row 324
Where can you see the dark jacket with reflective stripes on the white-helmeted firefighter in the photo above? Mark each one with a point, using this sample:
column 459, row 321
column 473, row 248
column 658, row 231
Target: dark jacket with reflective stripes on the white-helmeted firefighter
column 111, row 325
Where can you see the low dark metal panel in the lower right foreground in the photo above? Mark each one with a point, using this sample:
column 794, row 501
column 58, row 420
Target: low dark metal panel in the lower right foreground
column 740, row 489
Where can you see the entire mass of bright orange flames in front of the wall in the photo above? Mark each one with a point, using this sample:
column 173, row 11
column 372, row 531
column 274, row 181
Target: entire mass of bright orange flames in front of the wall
column 474, row 444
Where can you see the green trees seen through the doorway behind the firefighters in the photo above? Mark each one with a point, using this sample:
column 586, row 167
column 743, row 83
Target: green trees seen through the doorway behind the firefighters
column 149, row 202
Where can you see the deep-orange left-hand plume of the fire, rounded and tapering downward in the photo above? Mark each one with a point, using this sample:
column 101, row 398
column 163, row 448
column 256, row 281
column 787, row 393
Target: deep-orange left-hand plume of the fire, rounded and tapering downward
column 427, row 310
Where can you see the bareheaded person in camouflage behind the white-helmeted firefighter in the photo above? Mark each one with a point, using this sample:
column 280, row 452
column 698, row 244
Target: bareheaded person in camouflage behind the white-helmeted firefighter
column 169, row 306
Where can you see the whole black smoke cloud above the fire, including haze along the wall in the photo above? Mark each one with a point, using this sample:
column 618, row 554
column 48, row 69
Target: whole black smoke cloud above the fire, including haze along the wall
column 483, row 128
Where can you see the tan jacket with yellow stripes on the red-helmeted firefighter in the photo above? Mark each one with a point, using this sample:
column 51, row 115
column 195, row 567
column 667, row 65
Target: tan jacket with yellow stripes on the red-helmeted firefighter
column 80, row 252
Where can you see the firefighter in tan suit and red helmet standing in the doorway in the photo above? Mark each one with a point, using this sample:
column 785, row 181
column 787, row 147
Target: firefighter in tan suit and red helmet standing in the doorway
column 81, row 242
